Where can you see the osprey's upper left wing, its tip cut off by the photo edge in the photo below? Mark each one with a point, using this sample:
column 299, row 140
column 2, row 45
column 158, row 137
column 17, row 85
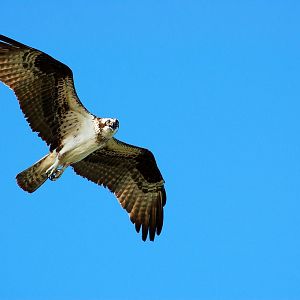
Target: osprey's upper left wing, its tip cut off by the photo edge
column 44, row 88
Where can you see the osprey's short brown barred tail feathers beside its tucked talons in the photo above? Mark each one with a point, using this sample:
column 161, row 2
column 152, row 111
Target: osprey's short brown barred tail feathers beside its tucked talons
column 33, row 177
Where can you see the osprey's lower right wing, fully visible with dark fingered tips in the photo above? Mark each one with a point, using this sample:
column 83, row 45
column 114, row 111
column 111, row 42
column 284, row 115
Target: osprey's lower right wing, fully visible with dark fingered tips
column 132, row 175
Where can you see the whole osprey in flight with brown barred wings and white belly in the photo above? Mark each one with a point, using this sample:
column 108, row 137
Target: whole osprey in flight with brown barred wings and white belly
column 77, row 138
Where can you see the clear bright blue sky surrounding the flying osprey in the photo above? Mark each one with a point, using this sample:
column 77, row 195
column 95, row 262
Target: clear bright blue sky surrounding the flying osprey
column 212, row 88
